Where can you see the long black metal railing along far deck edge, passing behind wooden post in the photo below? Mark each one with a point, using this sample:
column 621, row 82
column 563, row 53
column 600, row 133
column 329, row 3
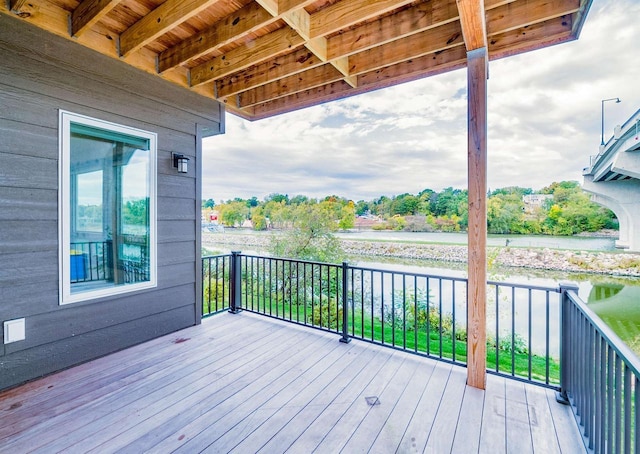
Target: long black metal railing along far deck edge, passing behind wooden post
column 419, row 313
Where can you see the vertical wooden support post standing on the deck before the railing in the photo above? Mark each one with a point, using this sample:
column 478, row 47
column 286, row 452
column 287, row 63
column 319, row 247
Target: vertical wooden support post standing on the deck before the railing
column 477, row 67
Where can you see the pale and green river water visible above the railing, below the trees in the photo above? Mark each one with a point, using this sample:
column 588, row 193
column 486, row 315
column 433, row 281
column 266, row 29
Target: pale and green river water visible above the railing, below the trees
column 615, row 299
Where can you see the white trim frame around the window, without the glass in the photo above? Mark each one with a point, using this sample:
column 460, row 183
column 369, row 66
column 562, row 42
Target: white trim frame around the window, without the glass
column 64, row 208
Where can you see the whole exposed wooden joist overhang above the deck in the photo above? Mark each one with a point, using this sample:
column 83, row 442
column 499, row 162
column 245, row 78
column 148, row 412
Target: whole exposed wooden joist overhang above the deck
column 266, row 57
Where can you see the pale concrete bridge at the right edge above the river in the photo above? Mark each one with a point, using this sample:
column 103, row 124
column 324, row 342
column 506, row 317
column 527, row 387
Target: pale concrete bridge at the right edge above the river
column 613, row 179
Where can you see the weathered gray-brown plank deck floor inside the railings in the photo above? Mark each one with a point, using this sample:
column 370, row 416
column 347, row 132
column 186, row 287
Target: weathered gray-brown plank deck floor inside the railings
column 244, row 383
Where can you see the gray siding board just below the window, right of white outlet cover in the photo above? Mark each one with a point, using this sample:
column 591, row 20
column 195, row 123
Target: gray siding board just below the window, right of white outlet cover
column 76, row 320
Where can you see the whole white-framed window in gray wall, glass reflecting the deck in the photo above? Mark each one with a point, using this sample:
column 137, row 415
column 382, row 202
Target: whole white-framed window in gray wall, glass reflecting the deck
column 107, row 208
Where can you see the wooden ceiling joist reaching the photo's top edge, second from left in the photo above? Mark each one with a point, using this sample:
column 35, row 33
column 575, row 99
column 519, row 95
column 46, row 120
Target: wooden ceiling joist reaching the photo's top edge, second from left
column 159, row 21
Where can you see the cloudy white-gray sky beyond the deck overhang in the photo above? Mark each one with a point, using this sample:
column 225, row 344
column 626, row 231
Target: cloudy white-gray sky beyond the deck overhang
column 544, row 122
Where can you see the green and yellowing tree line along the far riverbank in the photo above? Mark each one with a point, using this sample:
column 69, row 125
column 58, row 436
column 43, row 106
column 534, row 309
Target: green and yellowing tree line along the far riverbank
column 562, row 209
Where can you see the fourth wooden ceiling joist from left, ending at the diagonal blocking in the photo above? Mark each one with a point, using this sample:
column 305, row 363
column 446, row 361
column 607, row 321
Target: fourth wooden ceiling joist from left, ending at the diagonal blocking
column 257, row 51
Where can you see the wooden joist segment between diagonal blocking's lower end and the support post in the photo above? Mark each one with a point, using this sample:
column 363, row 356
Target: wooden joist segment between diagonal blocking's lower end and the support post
column 413, row 46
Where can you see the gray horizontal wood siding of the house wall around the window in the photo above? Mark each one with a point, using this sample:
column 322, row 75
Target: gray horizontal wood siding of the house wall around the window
column 36, row 82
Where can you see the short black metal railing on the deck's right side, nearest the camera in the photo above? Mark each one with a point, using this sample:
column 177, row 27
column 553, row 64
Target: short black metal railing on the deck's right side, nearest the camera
column 600, row 378
